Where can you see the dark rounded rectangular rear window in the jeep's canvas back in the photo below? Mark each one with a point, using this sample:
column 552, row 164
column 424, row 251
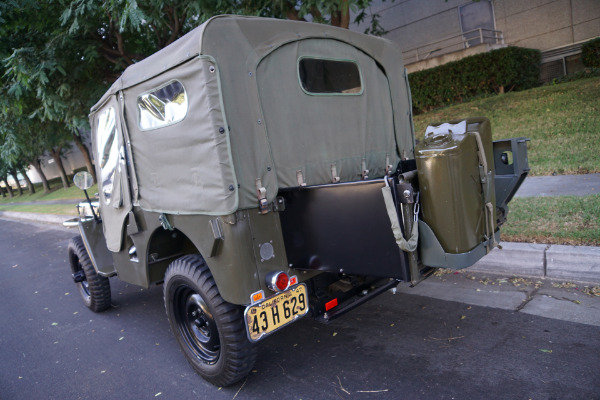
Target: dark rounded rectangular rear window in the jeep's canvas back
column 325, row 76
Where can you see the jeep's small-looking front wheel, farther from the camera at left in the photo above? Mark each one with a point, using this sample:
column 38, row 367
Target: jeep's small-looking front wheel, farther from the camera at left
column 94, row 289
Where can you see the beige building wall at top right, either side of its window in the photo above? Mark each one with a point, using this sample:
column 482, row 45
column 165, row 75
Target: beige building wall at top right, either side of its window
column 539, row 24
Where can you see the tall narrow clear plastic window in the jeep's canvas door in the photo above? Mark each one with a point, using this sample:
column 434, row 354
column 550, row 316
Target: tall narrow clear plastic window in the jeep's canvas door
column 108, row 153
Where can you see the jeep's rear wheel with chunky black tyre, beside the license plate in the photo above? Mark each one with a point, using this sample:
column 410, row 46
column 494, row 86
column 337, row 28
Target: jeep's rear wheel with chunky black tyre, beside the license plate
column 210, row 331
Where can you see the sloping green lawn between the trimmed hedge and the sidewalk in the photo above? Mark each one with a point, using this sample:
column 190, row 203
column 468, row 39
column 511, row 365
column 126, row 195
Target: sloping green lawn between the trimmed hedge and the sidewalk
column 562, row 121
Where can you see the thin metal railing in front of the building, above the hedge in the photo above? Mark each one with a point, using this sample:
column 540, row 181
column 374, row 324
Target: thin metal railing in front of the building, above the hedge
column 452, row 43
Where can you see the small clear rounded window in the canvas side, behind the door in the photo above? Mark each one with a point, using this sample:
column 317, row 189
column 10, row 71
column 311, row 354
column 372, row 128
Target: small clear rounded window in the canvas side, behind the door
column 163, row 106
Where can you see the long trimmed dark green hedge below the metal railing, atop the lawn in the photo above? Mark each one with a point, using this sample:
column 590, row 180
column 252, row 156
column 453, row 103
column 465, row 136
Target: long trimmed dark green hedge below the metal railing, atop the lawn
column 497, row 71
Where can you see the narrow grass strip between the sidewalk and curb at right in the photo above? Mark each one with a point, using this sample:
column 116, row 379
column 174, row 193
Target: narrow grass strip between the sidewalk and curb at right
column 554, row 220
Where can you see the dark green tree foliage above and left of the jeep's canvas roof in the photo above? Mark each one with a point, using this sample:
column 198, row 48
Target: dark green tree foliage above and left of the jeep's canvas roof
column 59, row 56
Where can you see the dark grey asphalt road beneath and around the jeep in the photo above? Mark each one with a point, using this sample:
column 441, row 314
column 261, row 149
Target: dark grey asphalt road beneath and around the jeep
column 396, row 347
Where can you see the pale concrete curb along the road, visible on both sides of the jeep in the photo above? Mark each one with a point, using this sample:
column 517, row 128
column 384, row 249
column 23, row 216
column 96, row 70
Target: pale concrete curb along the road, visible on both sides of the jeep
column 572, row 263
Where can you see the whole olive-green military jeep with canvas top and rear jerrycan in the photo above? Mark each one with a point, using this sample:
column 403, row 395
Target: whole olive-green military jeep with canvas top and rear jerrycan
column 262, row 170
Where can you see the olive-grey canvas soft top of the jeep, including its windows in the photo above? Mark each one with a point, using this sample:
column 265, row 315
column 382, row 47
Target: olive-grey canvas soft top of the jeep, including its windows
column 239, row 116
